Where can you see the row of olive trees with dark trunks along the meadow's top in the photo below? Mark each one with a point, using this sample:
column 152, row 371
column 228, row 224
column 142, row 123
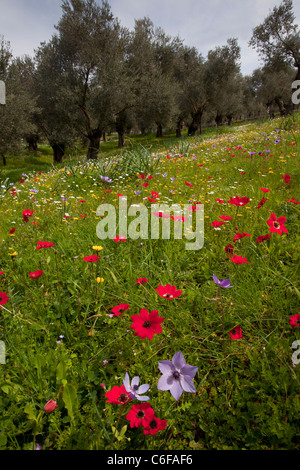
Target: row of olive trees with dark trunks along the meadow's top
column 95, row 76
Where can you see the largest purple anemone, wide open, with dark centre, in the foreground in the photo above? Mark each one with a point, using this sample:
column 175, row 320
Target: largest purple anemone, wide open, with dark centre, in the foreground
column 177, row 376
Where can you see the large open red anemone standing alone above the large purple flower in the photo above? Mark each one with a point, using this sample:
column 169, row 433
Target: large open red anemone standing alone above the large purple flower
column 146, row 324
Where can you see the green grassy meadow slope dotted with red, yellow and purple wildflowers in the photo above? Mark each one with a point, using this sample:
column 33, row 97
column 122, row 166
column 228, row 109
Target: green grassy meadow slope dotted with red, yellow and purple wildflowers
column 140, row 344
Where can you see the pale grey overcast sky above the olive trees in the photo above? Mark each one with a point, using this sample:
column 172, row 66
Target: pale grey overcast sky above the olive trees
column 203, row 24
